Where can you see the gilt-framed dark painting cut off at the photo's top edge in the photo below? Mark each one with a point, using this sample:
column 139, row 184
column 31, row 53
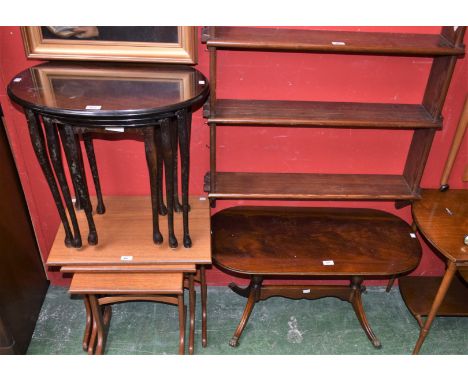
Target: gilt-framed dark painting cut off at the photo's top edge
column 112, row 43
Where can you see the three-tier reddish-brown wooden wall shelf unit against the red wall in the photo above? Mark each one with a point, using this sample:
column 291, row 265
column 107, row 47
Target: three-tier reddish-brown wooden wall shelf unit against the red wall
column 424, row 119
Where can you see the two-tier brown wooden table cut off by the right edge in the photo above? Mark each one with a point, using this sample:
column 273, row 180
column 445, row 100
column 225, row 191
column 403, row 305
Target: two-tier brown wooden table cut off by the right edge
column 442, row 218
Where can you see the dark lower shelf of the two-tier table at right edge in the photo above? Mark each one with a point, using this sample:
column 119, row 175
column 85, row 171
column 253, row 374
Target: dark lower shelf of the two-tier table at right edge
column 419, row 293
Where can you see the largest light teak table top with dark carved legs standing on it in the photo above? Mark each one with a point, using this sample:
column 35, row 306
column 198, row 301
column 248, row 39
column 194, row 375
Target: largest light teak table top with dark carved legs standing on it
column 126, row 230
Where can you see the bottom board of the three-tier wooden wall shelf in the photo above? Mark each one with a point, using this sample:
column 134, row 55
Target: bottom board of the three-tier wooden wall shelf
column 295, row 186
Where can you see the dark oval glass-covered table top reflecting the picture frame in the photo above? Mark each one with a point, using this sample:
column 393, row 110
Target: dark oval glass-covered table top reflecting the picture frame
column 72, row 89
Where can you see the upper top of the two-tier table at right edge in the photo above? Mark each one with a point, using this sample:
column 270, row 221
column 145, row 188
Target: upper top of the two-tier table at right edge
column 442, row 217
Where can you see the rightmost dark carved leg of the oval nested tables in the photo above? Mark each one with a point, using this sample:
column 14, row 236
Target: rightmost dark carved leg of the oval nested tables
column 183, row 130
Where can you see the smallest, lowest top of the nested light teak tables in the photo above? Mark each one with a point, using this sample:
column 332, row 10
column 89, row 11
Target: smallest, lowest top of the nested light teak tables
column 127, row 283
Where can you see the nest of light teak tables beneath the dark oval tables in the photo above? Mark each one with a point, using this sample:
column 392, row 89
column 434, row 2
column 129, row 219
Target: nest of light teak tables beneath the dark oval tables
column 126, row 253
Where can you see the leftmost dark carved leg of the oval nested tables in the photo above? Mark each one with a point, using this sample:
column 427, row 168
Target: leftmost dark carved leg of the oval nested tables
column 37, row 140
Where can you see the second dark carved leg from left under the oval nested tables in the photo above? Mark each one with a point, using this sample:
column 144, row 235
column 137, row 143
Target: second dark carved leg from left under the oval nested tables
column 55, row 154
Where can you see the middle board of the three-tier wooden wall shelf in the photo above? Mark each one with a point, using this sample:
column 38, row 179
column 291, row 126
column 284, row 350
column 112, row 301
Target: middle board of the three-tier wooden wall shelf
column 322, row 114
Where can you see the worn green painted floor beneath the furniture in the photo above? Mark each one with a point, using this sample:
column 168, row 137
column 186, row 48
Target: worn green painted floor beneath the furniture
column 276, row 326
